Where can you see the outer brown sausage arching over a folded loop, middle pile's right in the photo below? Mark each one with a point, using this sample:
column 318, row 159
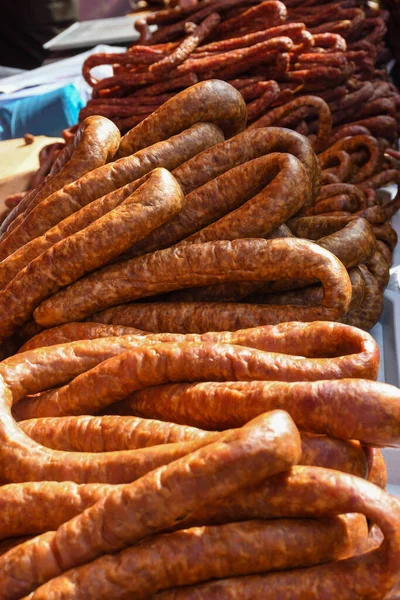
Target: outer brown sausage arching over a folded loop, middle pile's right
column 244, row 147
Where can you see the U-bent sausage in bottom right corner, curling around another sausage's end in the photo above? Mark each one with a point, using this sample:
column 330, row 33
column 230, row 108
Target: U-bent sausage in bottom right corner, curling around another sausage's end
column 313, row 492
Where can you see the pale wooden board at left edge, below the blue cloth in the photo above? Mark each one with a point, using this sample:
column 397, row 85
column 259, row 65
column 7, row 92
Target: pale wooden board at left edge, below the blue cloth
column 18, row 162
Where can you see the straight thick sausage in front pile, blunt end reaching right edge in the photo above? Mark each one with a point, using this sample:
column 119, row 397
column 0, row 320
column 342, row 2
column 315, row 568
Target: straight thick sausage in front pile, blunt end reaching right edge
column 345, row 409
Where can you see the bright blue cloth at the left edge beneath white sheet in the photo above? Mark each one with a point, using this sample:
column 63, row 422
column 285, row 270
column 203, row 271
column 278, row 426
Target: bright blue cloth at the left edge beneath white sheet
column 47, row 114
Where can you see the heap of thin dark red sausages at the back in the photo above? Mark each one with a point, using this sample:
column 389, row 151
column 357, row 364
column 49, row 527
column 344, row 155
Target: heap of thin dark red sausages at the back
column 270, row 51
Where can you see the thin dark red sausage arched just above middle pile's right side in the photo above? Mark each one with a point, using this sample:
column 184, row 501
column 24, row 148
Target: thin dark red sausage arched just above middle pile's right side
column 324, row 118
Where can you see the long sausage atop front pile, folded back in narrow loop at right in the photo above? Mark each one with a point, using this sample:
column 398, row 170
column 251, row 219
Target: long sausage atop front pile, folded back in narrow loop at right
column 333, row 351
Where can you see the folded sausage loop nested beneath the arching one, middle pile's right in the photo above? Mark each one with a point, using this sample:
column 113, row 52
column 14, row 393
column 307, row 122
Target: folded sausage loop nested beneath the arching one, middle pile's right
column 250, row 200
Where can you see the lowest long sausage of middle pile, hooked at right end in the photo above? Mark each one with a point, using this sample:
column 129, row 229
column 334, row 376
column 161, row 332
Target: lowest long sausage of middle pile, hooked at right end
column 240, row 260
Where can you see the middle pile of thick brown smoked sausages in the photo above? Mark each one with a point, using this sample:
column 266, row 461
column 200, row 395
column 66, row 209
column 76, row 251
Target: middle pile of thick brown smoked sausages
column 210, row 232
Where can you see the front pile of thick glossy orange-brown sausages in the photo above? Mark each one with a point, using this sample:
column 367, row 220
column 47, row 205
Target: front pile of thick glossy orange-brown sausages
column 225, row 465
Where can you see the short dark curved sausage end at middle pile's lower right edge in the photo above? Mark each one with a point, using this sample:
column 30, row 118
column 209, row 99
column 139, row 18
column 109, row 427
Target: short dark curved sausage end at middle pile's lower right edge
column 368, row 314
